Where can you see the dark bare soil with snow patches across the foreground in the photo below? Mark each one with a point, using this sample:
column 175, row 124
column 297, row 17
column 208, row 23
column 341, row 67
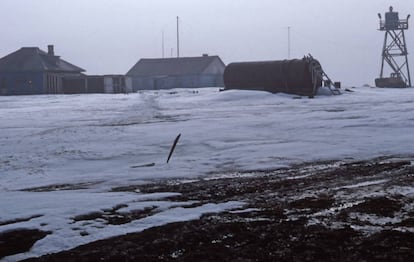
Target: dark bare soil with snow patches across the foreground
column 331, row 211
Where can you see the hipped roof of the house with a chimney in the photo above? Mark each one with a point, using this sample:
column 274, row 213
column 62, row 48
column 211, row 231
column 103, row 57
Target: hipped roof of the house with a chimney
column 32, row 59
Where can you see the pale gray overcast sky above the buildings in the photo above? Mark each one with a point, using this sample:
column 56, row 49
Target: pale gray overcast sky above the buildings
column 110, row 36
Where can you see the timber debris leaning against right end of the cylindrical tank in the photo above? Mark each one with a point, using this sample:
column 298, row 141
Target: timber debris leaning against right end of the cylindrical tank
column 320, row 77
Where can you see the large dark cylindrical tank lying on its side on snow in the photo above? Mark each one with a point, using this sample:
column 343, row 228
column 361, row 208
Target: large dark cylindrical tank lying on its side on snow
column 295, row 76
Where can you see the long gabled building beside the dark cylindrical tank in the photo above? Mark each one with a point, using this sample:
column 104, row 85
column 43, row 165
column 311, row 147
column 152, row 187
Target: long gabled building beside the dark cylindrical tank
column 182, row 72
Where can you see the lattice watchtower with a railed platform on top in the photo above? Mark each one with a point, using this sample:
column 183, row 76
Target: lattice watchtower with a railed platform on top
column 394, row 52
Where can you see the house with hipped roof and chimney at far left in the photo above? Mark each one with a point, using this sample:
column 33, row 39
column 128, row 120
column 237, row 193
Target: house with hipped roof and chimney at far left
column 30, row 71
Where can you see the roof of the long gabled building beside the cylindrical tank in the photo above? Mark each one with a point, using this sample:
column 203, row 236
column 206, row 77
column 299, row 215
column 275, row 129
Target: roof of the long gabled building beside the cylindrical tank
column 172, row 66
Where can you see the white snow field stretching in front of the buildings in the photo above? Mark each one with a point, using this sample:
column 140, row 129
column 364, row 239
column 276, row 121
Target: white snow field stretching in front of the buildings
column 61, row 155
